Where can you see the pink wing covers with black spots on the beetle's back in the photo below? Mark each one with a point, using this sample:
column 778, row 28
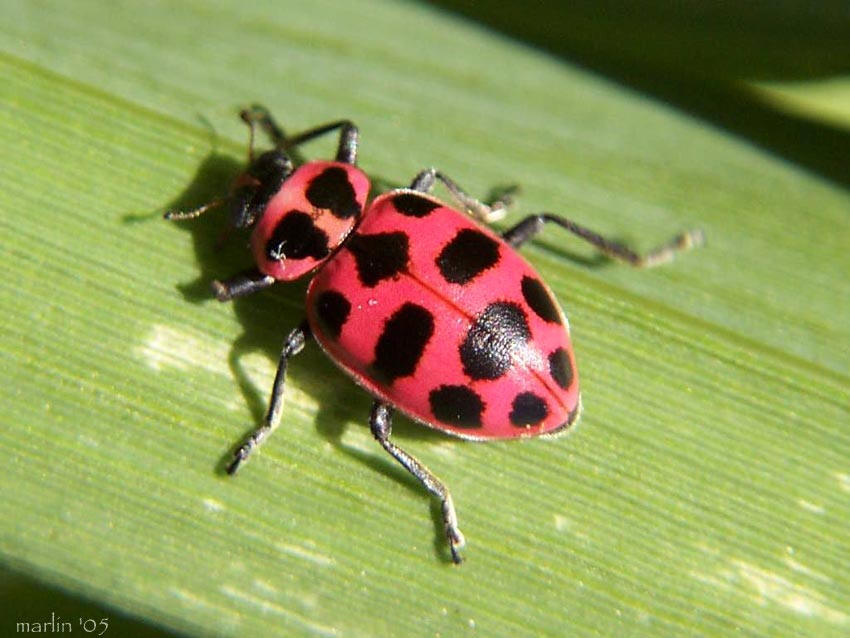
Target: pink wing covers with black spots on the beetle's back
column 453, row 328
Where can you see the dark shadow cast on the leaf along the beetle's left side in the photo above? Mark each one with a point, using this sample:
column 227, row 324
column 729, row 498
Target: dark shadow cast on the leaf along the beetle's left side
column 267, row 317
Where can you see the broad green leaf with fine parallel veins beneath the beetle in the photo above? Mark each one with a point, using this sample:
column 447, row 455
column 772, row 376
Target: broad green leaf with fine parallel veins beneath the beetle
column 706, row 490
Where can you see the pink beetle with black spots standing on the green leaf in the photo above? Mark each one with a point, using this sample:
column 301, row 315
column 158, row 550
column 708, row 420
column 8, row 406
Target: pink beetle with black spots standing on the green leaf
column 431, row 312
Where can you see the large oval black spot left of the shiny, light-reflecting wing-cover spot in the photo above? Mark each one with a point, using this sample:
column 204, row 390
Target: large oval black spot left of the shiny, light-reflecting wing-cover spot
column 400, row 346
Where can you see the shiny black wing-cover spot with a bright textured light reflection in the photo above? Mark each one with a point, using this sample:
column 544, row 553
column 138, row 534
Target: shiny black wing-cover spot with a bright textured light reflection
column 494, row 336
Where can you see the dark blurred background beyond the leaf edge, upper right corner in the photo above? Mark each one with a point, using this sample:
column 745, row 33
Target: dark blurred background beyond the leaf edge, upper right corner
column 772, row 73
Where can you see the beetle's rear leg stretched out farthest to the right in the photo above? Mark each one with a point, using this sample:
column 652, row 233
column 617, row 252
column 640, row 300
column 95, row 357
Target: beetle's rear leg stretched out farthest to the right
column 530, row 226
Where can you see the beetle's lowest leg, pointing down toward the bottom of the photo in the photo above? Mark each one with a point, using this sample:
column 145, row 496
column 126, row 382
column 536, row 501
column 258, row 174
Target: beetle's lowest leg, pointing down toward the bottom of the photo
column 380, row 422
